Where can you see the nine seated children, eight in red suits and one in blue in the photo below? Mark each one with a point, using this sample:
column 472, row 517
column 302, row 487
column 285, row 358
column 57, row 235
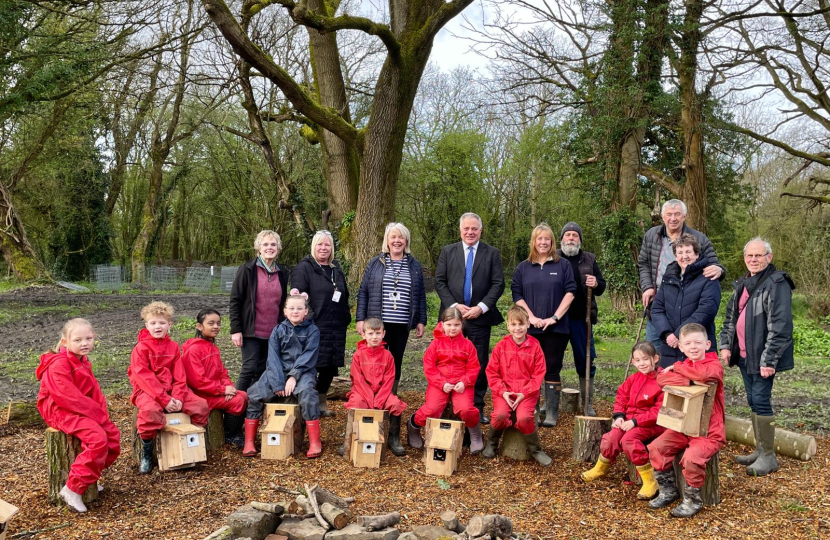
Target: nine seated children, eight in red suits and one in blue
column 195, row 381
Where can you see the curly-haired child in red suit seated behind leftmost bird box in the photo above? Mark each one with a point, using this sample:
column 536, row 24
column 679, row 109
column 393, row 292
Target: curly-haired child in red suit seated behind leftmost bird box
column 159, row 381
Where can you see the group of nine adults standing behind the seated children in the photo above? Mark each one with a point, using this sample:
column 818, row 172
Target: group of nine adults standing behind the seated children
column 679, row 276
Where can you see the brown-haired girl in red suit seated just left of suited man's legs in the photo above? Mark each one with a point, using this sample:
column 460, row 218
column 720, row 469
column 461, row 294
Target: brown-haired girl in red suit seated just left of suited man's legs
column 451, row 368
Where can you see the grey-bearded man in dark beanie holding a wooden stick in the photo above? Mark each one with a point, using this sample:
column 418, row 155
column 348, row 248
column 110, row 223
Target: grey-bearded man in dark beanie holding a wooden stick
column 586, row 274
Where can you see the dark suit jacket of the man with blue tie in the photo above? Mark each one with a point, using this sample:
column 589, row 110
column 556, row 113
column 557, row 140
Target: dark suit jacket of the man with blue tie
column 488, row 280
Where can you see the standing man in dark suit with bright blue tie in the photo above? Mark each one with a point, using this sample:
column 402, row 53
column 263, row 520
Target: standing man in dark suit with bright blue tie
column 469, row 277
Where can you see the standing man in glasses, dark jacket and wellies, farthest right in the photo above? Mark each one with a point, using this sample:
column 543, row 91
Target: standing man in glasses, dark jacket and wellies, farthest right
column 757, row 336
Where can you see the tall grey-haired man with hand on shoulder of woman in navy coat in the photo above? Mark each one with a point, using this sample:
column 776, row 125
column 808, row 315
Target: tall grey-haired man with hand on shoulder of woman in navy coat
column 656, row 254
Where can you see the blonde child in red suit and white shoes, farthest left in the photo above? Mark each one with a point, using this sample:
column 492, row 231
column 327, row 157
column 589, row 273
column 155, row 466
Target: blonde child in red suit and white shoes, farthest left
column 70, row 400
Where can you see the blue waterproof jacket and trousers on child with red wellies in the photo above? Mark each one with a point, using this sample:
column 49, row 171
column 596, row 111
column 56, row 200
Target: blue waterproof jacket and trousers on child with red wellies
column 292, row 352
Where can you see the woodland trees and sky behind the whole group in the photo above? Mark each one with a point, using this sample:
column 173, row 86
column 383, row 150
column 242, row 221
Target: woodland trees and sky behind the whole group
column 138, row 132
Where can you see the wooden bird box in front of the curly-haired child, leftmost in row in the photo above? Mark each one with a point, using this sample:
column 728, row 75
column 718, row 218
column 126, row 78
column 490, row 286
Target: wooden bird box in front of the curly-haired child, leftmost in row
column 181, row 444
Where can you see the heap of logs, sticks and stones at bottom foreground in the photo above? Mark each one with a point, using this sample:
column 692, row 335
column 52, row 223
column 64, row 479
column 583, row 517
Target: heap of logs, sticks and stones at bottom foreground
column 318, row 514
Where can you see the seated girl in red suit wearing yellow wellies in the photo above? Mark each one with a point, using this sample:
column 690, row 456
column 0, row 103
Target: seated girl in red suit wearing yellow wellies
column 638, row 401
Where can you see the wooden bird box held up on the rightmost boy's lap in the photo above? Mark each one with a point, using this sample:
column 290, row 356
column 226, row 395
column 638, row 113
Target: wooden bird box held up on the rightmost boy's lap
column 686, row 409
